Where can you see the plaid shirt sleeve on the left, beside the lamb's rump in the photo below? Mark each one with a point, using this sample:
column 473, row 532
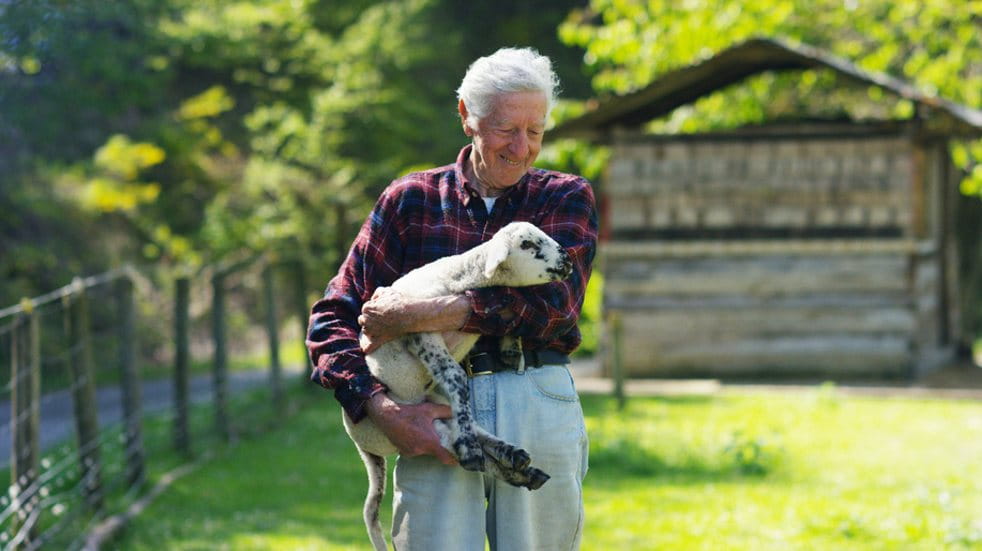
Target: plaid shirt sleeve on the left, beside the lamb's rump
column 333, row 330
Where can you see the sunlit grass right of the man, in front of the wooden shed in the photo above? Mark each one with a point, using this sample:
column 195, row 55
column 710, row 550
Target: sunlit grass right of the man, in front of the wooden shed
column 833, row 473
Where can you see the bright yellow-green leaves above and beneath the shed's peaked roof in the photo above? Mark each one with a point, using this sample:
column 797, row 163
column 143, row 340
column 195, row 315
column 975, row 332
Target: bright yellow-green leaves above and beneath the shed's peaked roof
column 935, row 44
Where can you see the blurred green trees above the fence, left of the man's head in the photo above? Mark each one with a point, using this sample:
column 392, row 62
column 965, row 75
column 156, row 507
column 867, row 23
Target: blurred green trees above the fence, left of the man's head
column 274, row 123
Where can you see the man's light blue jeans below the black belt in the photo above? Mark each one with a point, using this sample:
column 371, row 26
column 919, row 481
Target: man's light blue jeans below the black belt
column 441, row 508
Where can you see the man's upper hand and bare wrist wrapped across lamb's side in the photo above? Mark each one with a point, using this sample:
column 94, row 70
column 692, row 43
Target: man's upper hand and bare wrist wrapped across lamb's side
column 390, row 314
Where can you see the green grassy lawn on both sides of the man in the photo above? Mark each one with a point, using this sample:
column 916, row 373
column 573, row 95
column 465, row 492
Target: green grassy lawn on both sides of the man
column 811, row 470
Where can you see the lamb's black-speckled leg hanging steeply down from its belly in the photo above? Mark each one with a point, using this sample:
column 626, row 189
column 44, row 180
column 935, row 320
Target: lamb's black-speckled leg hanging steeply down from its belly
column 432, row 352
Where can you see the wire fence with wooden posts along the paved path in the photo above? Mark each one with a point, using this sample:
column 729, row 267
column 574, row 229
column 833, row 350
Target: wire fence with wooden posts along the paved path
column 119, row 378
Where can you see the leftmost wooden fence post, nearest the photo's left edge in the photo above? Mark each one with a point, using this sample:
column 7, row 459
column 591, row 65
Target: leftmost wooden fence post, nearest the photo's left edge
column 25, row 390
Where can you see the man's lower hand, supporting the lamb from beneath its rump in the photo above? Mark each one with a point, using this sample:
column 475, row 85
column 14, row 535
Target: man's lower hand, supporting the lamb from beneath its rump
column 410, row 427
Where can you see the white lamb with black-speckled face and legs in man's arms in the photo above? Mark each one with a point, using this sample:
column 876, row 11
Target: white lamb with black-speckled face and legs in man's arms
column 520, row 254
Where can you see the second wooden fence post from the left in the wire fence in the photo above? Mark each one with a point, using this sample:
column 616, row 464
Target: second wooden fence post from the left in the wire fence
column 83, row 392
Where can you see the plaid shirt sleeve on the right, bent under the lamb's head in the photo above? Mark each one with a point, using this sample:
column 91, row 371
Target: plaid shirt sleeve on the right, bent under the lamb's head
column 551, row 310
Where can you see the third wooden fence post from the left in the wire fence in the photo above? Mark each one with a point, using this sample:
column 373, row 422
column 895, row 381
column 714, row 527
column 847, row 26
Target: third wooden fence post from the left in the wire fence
column 130, row 383
